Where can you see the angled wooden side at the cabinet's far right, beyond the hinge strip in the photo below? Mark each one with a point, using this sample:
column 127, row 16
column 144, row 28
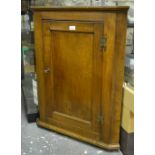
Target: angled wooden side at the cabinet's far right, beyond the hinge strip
column 118, row 76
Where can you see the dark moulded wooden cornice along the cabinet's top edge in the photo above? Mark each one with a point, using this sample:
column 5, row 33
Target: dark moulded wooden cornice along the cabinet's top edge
column 81, row 8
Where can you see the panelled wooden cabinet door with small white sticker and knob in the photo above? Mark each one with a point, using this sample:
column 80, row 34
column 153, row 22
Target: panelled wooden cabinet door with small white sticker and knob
column 72, row 58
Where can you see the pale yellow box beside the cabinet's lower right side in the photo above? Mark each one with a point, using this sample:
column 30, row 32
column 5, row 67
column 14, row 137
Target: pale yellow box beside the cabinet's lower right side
column 128, row 109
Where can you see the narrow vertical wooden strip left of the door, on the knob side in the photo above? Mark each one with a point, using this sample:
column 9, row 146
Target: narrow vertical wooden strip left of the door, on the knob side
column 39, row 62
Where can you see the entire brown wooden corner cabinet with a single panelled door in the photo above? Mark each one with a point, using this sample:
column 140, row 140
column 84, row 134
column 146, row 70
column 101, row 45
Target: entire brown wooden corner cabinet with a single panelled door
column 80, row 67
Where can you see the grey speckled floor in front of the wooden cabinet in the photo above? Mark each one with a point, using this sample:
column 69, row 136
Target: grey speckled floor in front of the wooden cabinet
column 39, row 141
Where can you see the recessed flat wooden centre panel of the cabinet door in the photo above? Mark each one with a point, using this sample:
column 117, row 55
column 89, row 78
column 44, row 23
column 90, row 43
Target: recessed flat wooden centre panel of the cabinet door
column 72, row 74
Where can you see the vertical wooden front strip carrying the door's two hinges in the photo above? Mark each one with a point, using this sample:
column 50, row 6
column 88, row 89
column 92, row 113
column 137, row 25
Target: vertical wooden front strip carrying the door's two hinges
column 108, row 55
